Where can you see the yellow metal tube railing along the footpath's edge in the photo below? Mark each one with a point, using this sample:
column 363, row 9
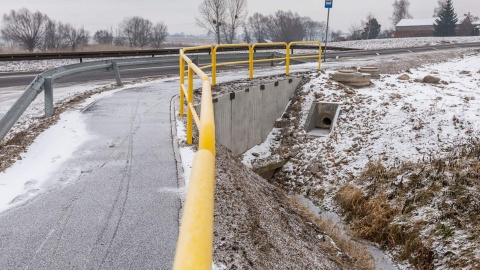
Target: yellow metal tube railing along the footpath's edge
column 195, row 241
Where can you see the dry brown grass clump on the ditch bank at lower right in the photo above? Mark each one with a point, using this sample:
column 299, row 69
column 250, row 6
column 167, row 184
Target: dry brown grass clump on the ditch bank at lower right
column 386, row 209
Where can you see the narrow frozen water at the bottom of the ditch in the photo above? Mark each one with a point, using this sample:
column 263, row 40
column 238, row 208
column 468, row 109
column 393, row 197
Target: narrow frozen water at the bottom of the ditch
column 382, row 260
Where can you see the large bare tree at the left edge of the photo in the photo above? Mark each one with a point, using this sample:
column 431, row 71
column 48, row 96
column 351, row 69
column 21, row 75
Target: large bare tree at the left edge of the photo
column 25, row 28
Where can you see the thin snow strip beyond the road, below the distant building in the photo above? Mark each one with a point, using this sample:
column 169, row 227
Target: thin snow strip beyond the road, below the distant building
column 393, row 43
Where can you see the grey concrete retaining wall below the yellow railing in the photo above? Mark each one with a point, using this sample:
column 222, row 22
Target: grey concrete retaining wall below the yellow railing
column 244, row 118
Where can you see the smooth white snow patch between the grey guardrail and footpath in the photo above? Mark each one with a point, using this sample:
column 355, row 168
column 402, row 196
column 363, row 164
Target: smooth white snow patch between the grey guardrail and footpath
column 28, row 176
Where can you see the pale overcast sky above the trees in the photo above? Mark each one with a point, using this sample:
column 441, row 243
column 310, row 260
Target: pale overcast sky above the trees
column 179, row 15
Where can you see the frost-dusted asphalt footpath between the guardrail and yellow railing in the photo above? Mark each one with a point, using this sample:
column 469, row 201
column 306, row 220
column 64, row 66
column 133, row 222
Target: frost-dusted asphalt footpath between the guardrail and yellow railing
column 122, row 212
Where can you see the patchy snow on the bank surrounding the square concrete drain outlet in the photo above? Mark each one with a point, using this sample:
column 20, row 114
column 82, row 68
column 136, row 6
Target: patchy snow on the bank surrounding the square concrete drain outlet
column 393, row 121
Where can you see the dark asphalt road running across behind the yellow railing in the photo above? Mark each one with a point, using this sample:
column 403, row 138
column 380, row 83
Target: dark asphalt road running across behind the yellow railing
column 8, row 79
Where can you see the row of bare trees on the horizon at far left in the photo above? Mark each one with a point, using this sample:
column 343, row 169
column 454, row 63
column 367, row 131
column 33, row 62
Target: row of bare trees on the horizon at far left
column 36, row 31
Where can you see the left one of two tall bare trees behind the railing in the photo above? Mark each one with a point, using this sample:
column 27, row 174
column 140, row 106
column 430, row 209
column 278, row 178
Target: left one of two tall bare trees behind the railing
column 213, row 13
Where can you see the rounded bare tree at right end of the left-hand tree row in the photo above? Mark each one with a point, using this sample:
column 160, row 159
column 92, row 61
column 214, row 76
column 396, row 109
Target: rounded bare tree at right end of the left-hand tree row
column 136, row 30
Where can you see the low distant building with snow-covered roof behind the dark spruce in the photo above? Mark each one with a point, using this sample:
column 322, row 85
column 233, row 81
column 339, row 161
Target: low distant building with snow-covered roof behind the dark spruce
column 425, row 28
